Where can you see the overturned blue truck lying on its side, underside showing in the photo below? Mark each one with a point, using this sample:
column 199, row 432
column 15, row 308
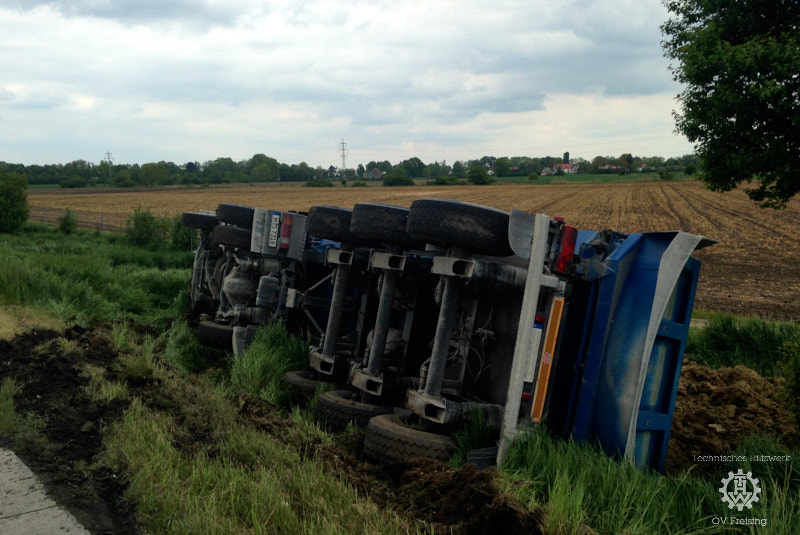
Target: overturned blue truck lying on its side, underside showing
column 424, row 320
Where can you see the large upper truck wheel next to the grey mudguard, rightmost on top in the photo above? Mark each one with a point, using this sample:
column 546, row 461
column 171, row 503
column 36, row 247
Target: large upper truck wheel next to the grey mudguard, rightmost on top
column 480, row 229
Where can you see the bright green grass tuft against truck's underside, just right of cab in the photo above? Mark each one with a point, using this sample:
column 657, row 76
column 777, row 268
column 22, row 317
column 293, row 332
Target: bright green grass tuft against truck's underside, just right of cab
column 273, row 353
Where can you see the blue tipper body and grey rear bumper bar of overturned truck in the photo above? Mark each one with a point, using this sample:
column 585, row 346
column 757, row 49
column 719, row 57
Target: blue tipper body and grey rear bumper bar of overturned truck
column 613, row 376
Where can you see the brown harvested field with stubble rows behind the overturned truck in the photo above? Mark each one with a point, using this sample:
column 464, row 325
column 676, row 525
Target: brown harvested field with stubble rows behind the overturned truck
column 754, row 270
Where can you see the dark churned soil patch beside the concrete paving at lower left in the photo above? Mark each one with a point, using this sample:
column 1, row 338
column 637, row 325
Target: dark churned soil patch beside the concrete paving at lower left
column 47, row 365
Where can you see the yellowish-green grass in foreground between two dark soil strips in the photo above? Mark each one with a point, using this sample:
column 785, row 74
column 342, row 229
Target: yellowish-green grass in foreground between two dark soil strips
column 237, row 480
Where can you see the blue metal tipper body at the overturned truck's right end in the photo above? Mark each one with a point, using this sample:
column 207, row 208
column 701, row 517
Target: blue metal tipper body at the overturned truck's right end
column 627, row 393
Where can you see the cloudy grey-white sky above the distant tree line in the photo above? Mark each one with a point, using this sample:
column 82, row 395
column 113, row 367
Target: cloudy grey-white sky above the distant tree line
column 181, row 80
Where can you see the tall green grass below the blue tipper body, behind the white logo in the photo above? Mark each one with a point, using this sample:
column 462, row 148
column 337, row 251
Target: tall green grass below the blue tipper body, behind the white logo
column 580, row 487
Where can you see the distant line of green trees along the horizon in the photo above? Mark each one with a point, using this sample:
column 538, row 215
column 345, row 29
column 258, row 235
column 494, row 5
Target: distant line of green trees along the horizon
column 262, row 168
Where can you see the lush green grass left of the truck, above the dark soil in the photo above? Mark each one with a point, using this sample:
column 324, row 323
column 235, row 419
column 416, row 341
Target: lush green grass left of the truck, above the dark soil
column 86, row 278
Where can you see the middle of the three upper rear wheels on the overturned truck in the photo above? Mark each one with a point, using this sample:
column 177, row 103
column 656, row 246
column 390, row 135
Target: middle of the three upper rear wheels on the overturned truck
column 384, row 223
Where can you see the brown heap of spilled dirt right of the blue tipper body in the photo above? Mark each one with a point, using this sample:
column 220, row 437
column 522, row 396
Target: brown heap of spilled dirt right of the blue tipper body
column 716, row 410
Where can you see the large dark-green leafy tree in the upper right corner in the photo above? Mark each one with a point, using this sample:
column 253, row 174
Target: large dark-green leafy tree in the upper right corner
column 741, row 103
